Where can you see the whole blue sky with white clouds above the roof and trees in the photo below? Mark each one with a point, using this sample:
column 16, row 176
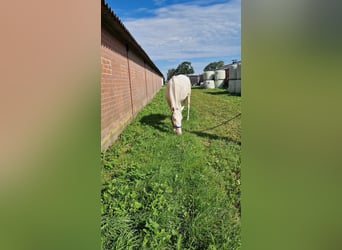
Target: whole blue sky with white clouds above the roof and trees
column 173, row 31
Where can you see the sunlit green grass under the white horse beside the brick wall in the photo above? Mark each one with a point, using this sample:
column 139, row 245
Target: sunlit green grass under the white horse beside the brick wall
column 163, row 191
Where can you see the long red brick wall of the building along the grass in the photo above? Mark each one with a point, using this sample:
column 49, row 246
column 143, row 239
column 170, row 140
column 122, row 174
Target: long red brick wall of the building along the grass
column 127, row 85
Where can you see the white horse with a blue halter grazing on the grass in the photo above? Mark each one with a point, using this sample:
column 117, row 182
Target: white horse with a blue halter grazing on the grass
column 178, row 90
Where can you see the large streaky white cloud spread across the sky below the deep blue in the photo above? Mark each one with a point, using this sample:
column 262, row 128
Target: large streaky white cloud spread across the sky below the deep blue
column 189, row 31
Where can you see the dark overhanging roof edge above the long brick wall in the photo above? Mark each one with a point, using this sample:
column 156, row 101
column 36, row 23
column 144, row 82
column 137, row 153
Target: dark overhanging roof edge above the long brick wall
column 112, row 23
